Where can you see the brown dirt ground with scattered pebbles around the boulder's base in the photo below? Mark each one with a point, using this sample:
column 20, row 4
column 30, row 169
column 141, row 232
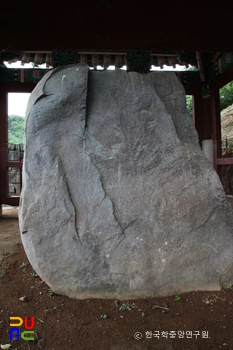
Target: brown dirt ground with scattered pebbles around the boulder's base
column 192, row 321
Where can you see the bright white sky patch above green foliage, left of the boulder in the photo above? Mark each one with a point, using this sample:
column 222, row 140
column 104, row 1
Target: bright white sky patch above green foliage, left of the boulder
column 17, row 103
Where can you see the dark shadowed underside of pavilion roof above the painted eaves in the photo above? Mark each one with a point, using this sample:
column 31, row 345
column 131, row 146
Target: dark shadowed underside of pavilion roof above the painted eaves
column 117, row 25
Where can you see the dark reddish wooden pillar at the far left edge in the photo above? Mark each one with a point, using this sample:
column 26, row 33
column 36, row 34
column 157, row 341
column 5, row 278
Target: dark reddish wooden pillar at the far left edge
column 4, row 186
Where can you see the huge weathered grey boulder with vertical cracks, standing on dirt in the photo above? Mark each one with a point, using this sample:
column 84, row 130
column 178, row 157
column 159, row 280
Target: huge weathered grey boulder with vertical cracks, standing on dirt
column 118, row 198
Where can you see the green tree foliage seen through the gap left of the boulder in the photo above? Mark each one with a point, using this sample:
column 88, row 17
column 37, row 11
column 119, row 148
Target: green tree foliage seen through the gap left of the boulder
column 15, row 129
